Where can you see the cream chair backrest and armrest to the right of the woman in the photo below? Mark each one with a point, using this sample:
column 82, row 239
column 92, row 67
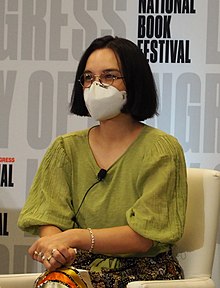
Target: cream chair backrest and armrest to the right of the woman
column 195, row 251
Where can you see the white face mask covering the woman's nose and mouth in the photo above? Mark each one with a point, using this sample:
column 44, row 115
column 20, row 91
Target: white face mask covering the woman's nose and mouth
column 104, row 102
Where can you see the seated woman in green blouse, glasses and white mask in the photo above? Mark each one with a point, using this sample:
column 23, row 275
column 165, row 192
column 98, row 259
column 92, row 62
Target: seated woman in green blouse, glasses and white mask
column 115, row 193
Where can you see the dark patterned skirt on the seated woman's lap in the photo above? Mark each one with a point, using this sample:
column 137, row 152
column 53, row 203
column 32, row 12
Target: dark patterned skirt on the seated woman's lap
column 118, row 272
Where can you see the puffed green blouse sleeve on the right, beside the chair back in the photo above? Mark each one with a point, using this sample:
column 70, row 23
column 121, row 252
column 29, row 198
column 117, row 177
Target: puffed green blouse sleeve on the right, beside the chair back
column 159, row 213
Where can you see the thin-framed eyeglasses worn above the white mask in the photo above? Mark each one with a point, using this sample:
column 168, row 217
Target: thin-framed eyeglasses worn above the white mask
column 106, row 78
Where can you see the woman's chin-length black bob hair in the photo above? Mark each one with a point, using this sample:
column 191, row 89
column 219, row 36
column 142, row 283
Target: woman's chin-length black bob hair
column 142, row 99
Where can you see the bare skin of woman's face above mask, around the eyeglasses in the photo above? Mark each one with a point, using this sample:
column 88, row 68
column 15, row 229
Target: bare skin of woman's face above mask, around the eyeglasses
column 104, row 61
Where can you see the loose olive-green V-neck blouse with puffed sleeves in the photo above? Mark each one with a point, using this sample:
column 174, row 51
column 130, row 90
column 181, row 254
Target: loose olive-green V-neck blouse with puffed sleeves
column 145, row 188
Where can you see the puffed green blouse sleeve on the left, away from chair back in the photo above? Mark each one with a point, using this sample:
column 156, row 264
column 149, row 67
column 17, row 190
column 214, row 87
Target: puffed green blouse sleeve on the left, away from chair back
column 49, row 200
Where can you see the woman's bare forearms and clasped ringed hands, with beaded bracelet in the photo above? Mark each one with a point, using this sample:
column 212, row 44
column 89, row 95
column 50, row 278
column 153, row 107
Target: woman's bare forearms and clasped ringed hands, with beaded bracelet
column 58, row 248
